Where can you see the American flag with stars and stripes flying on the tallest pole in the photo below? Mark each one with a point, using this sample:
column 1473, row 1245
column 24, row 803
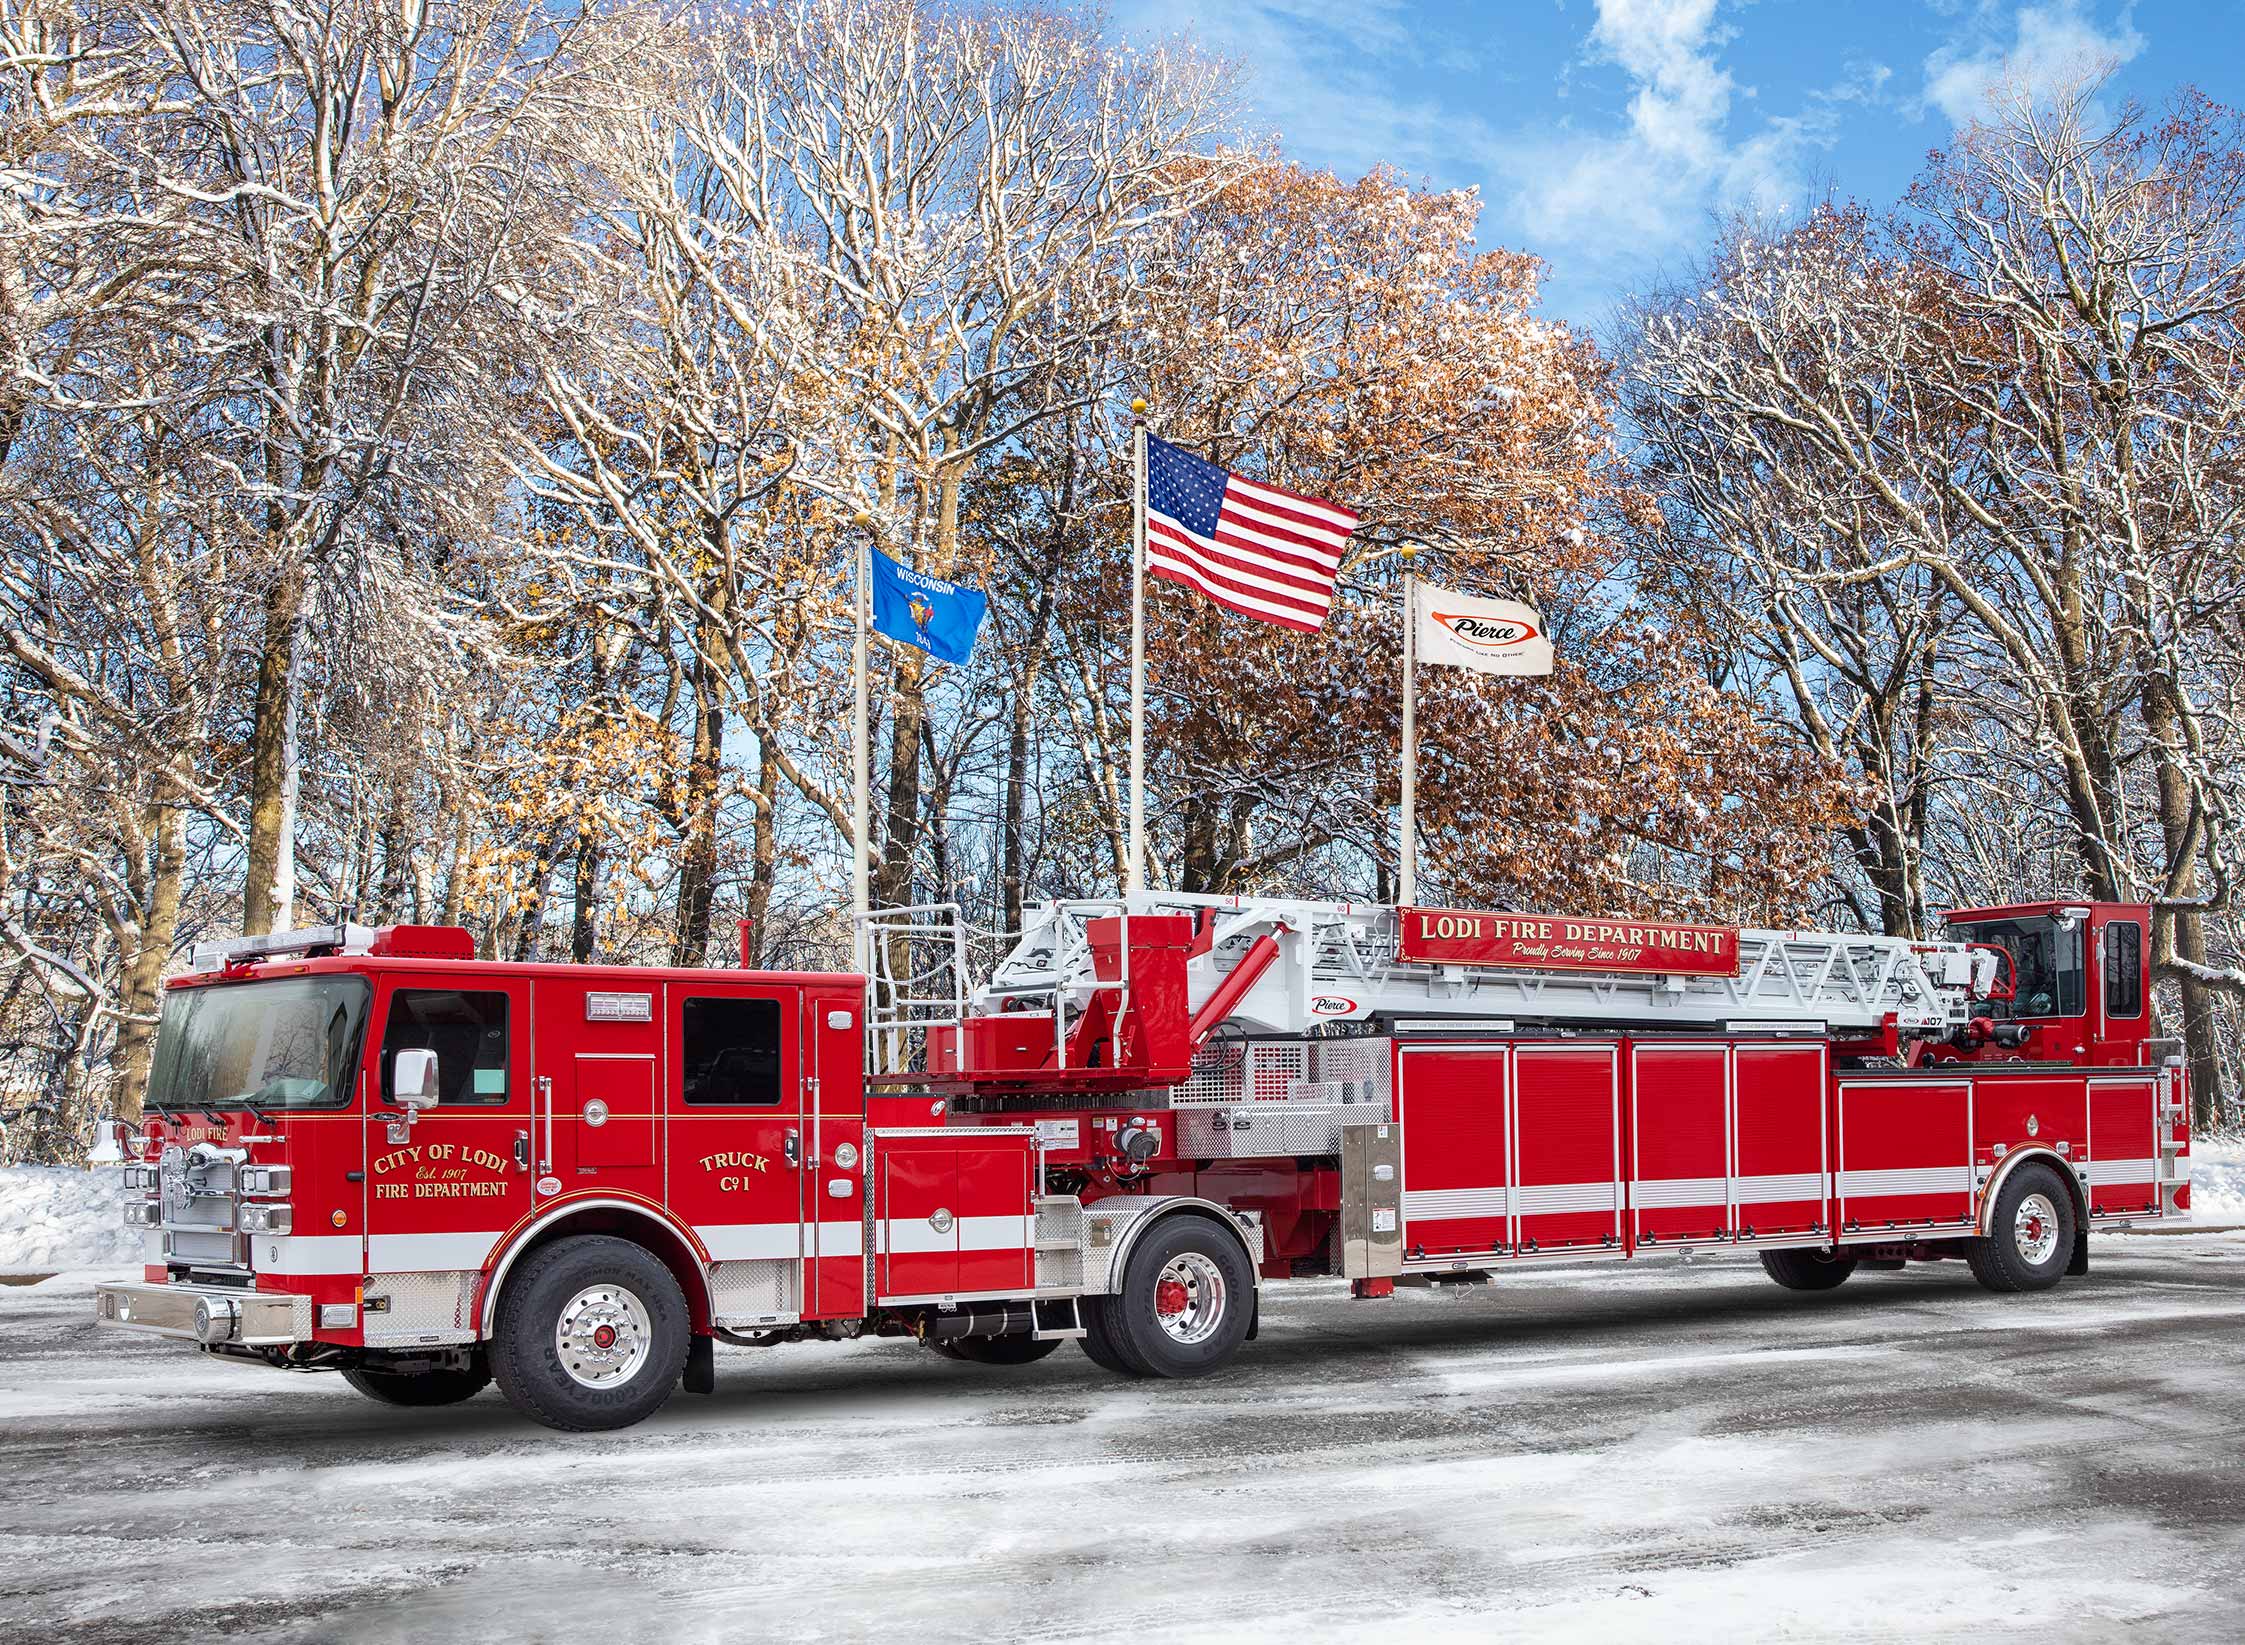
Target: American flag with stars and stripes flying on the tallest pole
column 1249, row 546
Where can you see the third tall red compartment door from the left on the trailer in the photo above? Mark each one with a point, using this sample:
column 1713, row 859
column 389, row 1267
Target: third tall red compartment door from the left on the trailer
column 1680, row 1141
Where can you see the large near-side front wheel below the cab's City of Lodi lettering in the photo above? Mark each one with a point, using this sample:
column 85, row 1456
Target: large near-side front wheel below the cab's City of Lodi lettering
column 592, row 1334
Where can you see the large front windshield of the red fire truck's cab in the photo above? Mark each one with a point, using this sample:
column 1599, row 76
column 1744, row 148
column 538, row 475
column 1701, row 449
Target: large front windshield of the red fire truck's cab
column 288, row 1045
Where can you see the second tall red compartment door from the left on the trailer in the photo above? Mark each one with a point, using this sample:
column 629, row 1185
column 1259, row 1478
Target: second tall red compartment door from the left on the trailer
column 1566, row 1148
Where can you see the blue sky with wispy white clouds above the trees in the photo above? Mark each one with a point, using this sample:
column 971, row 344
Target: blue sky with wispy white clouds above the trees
column 1609, row 134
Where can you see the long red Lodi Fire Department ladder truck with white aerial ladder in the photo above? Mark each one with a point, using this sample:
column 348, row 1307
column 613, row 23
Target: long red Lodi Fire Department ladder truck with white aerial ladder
column 372, row 1152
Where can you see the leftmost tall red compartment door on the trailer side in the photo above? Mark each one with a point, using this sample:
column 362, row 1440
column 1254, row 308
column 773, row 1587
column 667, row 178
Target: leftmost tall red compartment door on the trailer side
column 1456, row 1152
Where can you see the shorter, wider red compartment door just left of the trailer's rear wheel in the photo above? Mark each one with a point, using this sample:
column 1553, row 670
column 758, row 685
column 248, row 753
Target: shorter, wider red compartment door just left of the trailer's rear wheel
column 1905, row 1157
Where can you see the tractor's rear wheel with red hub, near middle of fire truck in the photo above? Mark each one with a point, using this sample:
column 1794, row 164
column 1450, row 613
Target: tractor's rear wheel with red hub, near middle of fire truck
column 1184, row 1303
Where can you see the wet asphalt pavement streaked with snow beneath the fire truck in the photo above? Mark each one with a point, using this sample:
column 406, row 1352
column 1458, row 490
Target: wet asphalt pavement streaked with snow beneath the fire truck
column 1662, row 1455
